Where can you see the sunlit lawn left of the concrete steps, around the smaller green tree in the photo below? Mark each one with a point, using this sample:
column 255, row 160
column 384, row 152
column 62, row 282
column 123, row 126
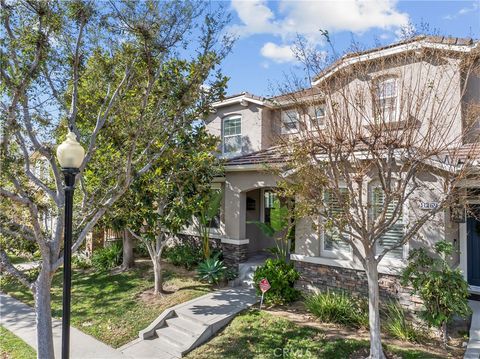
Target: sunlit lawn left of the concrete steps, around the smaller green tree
column 114, row 307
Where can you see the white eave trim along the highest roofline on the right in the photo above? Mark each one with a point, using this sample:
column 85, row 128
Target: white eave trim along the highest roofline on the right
column 417, row 45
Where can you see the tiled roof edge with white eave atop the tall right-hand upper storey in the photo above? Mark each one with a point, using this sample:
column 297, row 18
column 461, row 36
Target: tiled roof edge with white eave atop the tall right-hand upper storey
column 417, row 43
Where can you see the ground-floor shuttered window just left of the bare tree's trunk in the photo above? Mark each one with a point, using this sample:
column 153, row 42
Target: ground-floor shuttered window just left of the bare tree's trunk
column 333, row 239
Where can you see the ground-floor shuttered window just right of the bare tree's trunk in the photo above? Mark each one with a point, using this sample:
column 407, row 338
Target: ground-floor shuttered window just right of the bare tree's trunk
column 394, row 235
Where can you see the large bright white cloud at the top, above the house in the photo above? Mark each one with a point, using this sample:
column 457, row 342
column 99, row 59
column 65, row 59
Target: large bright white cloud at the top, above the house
column 307, row 18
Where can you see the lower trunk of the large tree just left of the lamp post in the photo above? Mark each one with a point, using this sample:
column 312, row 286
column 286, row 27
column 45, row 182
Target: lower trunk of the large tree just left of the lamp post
column 44, row 315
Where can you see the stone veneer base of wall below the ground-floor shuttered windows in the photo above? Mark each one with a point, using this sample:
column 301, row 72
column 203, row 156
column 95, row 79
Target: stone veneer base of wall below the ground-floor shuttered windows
column 318, row 276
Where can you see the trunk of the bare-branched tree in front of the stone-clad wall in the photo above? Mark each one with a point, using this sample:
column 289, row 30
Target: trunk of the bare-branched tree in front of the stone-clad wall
column 376, row 351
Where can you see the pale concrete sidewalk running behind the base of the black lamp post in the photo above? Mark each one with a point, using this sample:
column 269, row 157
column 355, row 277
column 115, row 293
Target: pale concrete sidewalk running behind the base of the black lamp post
column 19, row 318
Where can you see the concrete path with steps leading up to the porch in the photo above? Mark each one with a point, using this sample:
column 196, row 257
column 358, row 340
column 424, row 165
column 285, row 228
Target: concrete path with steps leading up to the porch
column 188, row 325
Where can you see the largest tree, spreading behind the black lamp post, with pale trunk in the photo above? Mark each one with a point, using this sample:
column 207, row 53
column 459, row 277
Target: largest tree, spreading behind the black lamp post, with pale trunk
column 110, row 71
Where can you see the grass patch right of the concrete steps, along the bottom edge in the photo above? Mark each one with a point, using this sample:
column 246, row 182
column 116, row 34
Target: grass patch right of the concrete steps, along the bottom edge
column 255, row 334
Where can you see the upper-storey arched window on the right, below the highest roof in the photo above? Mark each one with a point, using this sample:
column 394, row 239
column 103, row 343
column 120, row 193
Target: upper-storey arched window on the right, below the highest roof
column 385, row 101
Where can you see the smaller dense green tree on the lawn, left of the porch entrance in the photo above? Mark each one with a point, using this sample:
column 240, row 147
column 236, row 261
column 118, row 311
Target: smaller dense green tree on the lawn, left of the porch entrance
column 160, row 203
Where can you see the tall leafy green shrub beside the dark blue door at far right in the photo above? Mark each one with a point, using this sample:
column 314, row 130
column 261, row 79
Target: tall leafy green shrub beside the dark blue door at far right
column 443, row 289
